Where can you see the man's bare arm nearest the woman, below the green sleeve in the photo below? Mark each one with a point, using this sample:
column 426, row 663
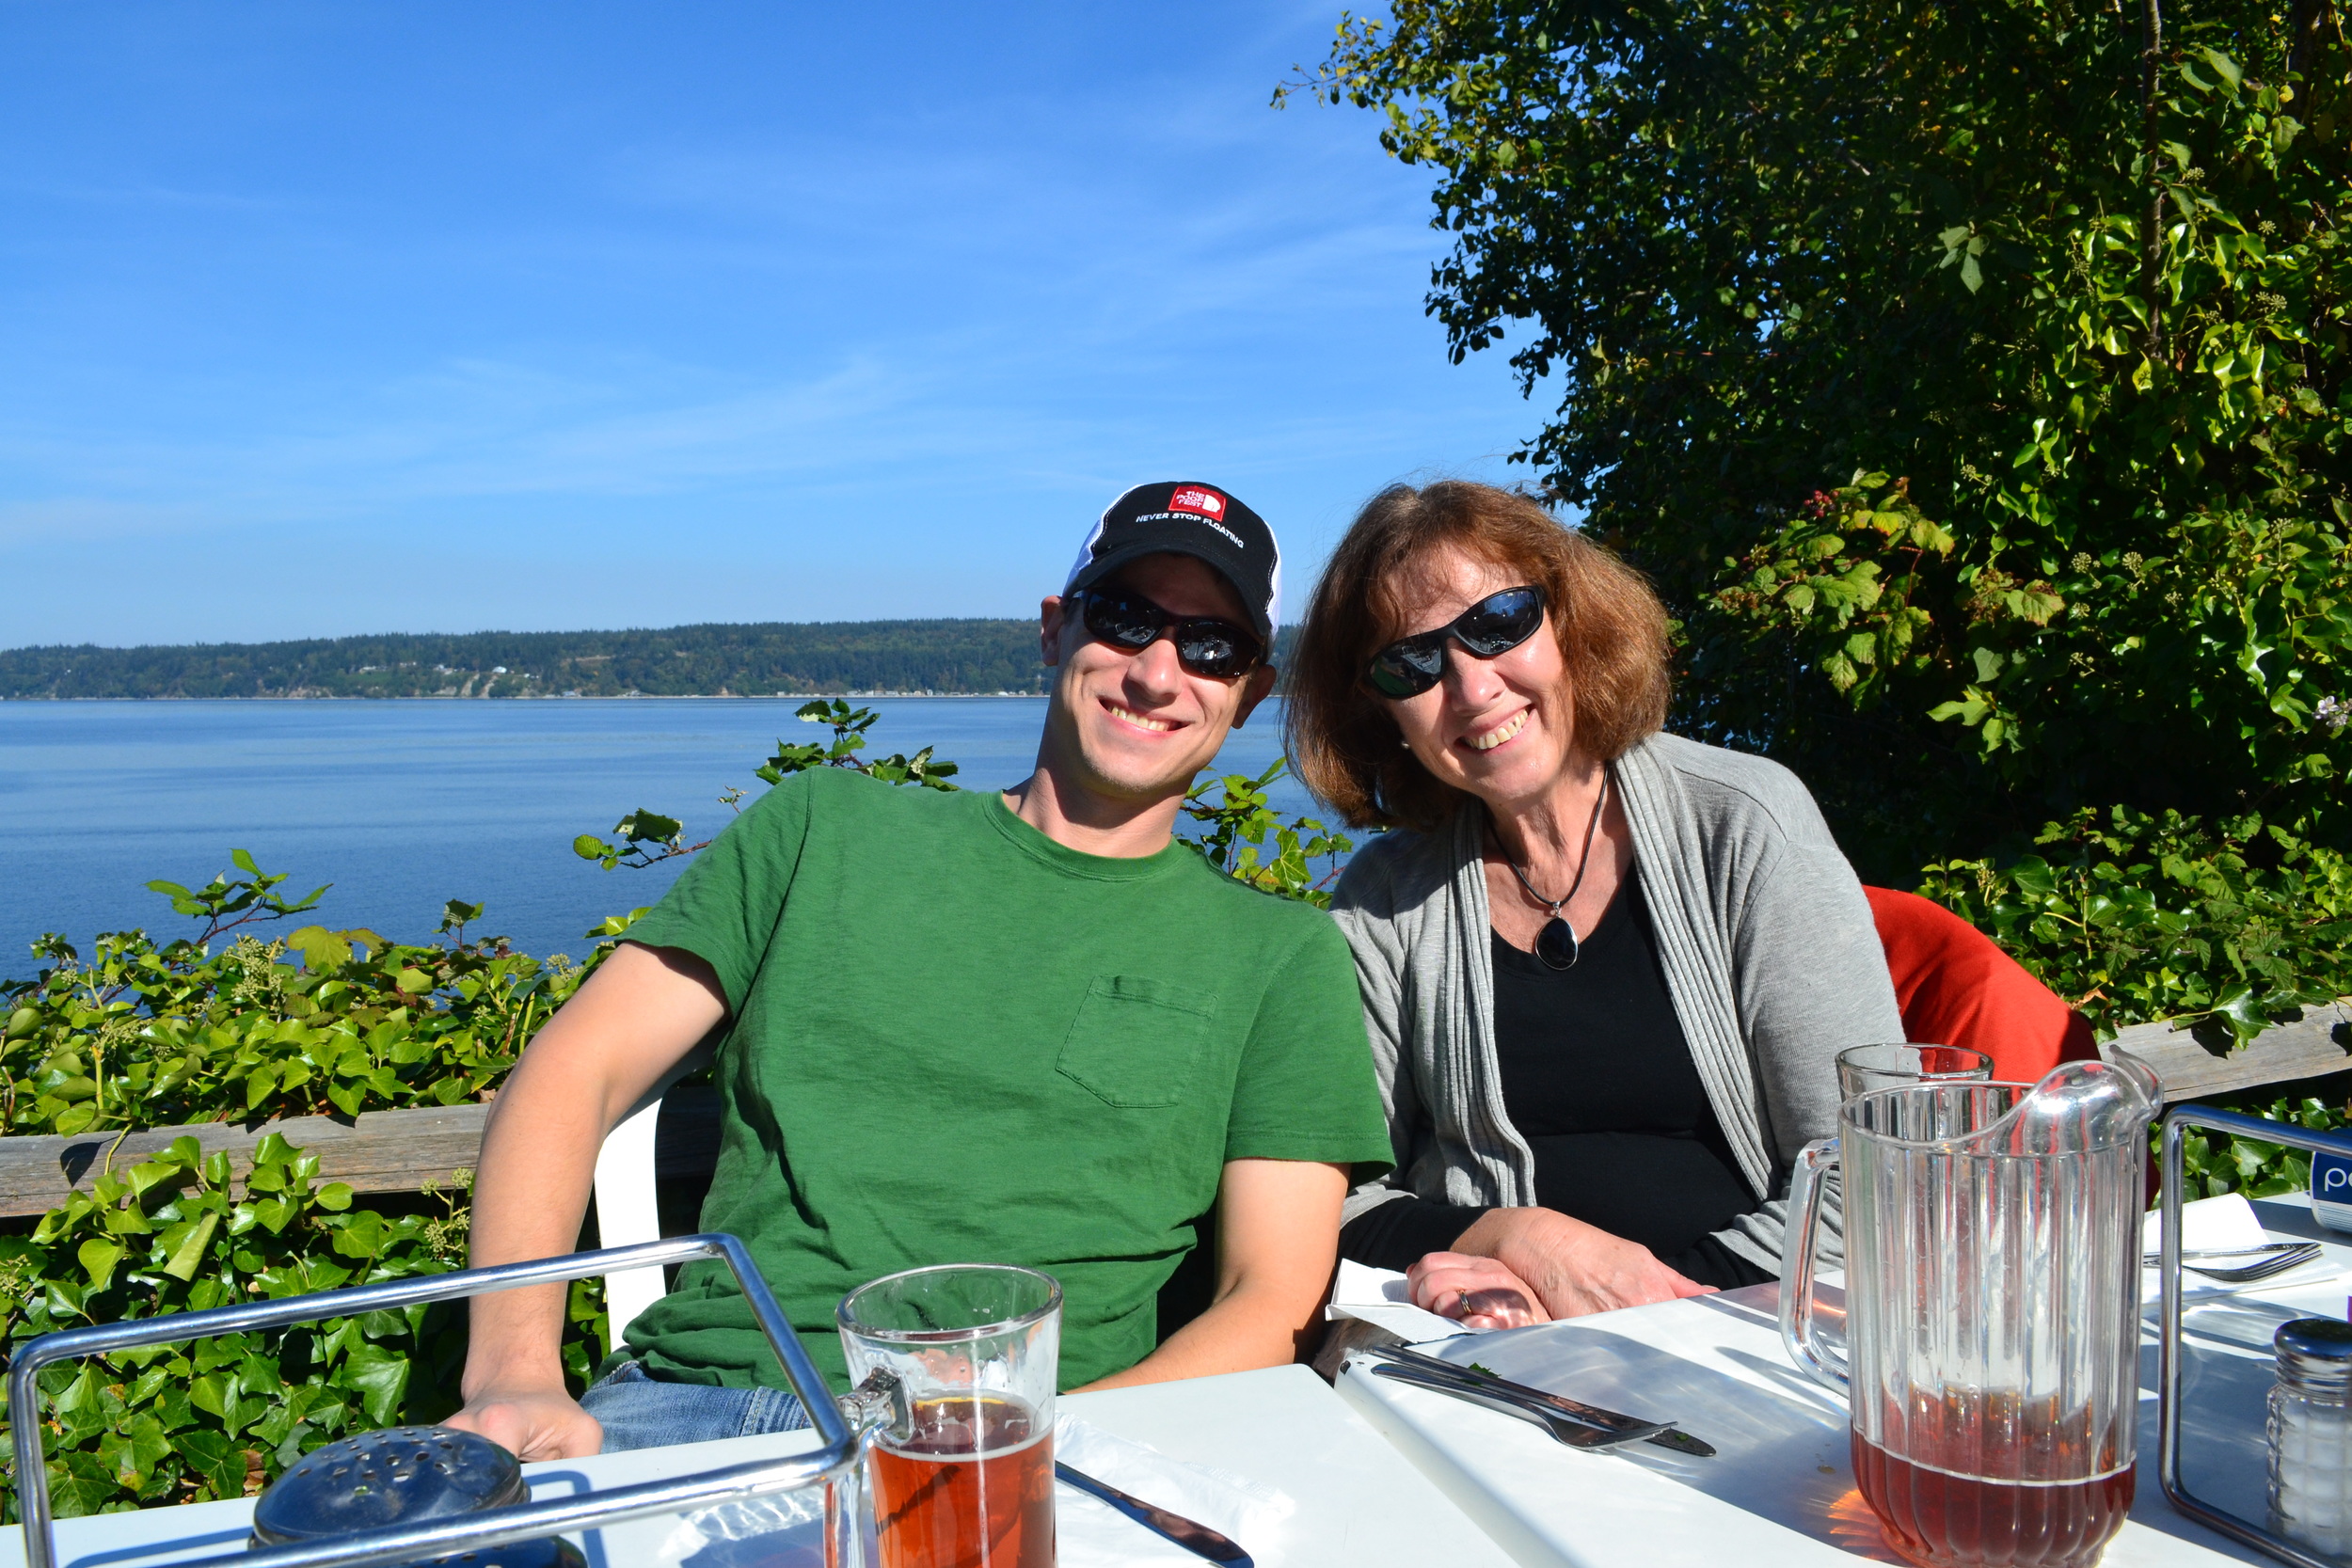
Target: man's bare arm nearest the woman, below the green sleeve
column 1276, row 1249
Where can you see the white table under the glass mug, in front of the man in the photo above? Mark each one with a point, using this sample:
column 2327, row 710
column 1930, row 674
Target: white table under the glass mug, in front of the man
column 1361, row 1503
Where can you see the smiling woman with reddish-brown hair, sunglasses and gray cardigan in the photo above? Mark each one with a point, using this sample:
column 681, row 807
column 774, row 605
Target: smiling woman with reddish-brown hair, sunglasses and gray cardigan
column 1605, row 970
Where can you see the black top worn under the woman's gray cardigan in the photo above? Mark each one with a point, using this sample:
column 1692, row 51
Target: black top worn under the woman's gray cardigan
column 1601, row 1083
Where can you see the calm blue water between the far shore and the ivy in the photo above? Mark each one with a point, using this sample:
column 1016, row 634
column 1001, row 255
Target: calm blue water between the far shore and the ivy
column 408, row 805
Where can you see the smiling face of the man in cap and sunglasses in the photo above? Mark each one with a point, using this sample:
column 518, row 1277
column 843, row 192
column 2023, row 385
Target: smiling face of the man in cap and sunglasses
column 1137, row 728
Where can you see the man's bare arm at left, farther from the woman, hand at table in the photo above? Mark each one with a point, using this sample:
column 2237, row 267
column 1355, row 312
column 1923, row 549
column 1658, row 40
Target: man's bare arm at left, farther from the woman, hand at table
column 627, row 1026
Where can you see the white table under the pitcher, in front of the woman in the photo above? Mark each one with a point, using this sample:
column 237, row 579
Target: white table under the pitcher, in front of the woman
column 1782, row 1487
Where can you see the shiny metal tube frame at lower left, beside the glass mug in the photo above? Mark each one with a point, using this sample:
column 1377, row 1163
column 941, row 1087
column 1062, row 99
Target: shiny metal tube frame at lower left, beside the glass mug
column 829, row 1466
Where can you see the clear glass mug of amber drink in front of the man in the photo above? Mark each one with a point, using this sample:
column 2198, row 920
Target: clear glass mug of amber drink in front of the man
column 961, row 1449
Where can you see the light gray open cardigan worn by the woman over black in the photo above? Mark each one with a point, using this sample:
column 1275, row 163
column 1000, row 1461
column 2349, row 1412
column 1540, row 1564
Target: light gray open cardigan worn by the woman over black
column 1763, row 932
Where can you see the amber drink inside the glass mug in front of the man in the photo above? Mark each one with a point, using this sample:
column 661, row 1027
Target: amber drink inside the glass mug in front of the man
column 970, row 1489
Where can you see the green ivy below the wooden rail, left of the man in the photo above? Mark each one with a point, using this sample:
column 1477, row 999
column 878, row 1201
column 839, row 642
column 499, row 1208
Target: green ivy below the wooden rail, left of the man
column 222, row 1416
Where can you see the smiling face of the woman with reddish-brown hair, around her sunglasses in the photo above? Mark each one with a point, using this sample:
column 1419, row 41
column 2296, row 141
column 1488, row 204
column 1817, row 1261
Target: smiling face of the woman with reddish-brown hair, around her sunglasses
column 1497, row 728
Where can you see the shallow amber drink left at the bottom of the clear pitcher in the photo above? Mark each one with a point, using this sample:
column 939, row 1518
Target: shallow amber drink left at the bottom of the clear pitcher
column 1939, row 1517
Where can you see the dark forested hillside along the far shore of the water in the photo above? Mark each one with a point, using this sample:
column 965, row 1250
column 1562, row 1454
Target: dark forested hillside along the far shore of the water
column 841, row 657
